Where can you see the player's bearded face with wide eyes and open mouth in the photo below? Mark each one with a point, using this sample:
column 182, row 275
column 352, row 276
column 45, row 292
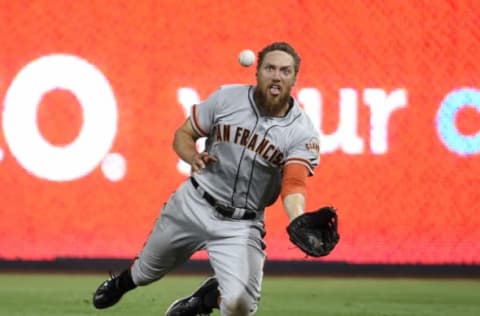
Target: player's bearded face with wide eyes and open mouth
column 275, row 79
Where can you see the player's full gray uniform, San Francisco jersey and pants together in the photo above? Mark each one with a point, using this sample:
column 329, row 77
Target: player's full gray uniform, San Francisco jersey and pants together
column 251, row 150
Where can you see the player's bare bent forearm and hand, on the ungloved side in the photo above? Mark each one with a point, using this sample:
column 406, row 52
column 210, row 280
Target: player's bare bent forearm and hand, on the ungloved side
column 184, row 145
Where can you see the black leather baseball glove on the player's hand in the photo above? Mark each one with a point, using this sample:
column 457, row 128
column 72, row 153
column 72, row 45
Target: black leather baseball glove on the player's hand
column 316, row 232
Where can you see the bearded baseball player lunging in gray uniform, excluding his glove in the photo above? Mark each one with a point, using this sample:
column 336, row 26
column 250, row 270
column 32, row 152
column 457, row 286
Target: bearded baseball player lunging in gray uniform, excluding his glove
column 260, row 145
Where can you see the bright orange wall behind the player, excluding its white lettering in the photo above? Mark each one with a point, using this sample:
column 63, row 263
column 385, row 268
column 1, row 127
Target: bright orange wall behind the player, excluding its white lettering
column 417, row 202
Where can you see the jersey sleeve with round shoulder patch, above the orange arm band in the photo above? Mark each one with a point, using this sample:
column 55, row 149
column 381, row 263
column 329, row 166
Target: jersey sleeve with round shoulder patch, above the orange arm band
column 305, row 151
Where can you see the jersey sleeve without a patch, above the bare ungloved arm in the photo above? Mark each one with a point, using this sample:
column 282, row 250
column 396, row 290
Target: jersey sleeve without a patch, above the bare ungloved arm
column 203, row 114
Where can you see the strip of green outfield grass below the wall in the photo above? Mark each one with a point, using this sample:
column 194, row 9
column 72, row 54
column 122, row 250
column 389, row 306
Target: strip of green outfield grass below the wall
column 70, row 294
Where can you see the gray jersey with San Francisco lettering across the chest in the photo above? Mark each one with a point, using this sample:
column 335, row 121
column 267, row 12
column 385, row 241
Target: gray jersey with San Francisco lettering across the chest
column 251, row 149
